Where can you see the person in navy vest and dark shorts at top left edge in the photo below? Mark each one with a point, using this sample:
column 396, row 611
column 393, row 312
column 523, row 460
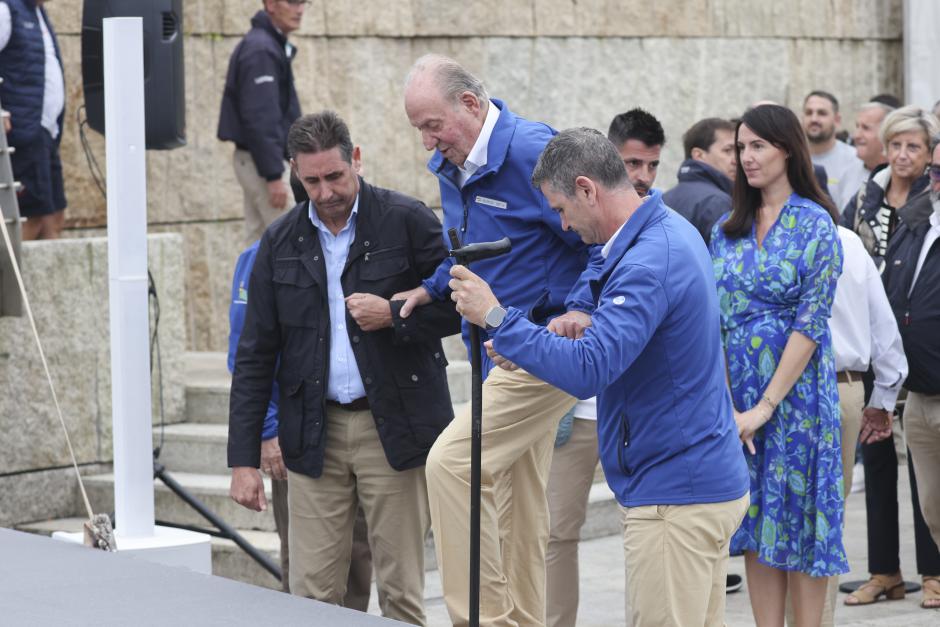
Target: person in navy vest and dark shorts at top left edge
column 33, row 92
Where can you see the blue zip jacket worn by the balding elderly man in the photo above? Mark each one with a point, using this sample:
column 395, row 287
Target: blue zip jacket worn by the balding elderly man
column 542, row 273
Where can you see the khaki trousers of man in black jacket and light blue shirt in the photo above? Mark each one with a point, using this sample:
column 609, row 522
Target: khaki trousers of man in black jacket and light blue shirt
column 323, row 510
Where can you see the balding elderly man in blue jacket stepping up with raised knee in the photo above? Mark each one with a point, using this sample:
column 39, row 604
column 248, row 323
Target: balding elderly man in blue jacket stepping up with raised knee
column 484, row 155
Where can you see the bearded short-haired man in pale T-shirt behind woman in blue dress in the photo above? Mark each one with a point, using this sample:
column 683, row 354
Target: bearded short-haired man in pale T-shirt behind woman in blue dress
column 845, row 171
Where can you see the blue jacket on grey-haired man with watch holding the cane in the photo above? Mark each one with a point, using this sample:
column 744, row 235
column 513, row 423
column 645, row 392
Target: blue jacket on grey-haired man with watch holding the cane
column 653, row 356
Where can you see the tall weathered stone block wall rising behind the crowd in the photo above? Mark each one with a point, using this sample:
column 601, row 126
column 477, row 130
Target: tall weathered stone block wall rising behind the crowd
column 567, row 62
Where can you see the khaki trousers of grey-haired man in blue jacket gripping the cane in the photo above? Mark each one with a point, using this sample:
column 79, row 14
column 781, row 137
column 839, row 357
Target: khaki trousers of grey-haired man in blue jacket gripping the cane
column 677, row 561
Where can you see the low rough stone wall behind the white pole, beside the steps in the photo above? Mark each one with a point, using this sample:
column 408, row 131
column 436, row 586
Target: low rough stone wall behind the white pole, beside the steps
column 67, row 283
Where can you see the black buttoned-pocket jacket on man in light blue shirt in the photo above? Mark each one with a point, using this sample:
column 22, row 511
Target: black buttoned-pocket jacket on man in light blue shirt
column 397, row 244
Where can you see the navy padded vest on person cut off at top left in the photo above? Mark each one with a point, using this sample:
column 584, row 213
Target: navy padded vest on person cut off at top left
column 23, row 69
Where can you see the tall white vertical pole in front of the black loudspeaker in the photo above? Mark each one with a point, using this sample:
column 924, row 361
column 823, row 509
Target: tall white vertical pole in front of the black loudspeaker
column 127, row 271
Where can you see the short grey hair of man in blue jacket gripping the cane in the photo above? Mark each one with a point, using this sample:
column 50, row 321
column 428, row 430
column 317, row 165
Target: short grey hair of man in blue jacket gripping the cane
column 579, row 152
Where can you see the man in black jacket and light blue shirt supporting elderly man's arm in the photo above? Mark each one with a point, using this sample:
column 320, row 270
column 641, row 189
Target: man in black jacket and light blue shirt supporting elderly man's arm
column 363, row 392
